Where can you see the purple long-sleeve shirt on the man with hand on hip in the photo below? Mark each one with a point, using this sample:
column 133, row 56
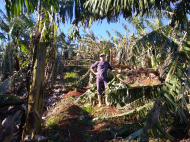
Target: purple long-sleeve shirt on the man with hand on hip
column 102, row 68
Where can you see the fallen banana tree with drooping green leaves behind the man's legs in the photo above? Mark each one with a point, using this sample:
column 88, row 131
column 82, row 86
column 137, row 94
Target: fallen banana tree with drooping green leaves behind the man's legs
column 121, row 93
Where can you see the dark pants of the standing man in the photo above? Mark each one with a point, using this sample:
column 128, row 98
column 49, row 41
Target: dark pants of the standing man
column 101, row 82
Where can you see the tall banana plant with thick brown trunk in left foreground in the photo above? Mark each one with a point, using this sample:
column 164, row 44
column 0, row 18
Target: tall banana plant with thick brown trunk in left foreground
column 48, row 12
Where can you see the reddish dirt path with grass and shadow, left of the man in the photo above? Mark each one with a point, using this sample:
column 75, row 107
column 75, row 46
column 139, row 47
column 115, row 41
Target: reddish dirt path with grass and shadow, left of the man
column 74, row 124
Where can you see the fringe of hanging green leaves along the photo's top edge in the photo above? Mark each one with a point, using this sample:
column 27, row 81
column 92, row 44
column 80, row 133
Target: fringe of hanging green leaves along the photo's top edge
column 88, row 11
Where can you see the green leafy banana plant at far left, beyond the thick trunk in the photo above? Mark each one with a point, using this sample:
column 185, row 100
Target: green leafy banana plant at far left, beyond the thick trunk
column 16, row 29
